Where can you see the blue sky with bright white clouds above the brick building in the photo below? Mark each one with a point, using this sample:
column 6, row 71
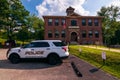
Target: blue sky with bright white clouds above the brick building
column 58, row 7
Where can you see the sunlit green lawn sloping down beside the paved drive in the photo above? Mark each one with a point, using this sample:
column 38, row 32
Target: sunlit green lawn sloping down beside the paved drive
column 93, row 56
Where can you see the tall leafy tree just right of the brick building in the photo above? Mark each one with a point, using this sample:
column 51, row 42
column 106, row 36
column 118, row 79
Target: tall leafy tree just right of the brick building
column 111, row 14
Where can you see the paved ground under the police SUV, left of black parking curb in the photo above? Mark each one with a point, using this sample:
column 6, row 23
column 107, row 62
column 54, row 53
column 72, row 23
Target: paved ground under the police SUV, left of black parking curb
column 34, row 70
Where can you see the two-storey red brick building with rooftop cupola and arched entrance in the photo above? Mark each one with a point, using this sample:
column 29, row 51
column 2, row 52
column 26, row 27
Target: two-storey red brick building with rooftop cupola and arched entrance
column 74, row 28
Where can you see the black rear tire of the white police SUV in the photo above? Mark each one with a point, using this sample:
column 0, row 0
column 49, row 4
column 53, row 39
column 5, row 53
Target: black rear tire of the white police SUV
column 53, row 59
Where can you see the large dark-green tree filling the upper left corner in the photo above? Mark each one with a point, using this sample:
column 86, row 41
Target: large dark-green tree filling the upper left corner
column 13, row 14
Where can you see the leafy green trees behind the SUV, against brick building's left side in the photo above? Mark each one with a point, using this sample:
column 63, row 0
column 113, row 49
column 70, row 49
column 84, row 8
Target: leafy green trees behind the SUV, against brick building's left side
column 32, row 31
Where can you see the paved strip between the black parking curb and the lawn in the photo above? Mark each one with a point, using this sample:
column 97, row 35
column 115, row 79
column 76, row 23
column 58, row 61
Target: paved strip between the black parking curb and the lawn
column 89, row 72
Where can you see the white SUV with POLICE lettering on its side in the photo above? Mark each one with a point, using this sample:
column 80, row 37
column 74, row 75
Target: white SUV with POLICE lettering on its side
column 53, row 50
